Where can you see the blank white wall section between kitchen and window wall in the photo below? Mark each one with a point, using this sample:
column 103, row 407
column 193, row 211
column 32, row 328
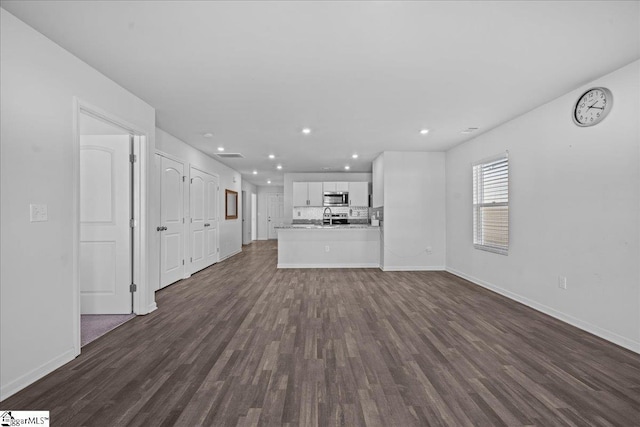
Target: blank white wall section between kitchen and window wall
column 414, row 211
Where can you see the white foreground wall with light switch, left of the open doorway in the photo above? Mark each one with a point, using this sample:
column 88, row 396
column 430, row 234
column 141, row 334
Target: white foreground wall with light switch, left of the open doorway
column 38, row 81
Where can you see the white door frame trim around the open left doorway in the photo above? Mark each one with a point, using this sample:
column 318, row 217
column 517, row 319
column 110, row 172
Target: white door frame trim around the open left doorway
column 143, row 300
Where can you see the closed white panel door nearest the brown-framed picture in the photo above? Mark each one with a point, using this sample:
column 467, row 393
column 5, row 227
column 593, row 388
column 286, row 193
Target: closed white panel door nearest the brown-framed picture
column 203, row 194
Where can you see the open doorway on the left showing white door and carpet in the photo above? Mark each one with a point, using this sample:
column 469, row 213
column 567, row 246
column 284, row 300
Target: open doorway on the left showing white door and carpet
column 108, row 216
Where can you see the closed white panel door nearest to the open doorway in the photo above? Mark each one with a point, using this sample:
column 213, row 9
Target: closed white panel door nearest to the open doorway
column 171, row 226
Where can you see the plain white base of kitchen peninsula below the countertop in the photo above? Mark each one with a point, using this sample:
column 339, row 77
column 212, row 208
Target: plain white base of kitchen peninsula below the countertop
column 328, row 247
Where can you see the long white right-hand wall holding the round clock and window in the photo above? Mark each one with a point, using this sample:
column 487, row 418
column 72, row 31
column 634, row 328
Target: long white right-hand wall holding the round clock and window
column 574, row 212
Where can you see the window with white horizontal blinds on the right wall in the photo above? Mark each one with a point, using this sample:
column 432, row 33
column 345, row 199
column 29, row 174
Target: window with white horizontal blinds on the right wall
column 491, row 204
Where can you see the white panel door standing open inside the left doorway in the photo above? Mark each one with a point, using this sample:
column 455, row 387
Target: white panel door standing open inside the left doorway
column 105, row 232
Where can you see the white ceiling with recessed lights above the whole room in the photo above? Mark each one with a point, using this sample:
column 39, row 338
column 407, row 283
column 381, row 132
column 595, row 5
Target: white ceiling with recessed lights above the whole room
column 364, row 76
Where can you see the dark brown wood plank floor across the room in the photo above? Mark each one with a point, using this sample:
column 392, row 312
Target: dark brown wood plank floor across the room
column 243, row 343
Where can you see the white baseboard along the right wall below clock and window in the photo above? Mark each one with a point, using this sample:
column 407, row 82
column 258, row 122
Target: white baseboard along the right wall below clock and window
column 581, row 324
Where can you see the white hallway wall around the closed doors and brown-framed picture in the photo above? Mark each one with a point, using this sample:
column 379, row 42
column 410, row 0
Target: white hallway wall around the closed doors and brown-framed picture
column 230, row 230
